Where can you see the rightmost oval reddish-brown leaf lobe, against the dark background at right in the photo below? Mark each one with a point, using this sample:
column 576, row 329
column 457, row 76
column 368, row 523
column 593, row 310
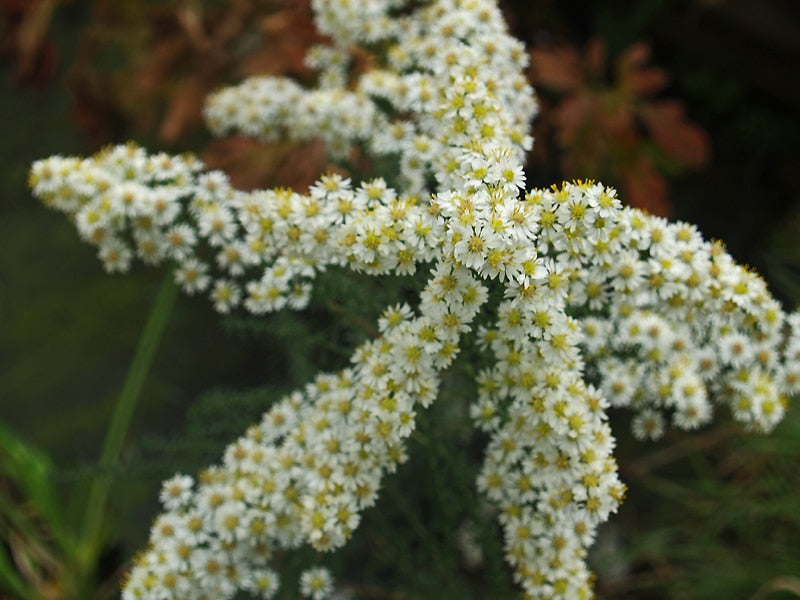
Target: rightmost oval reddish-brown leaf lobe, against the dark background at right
column 674, row 134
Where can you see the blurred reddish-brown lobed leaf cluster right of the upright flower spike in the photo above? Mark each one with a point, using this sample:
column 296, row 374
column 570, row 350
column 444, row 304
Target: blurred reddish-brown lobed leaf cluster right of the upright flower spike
column 618, row 130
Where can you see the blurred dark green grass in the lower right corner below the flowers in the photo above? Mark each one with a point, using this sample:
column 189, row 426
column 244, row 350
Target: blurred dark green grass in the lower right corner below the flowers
column 708, row 516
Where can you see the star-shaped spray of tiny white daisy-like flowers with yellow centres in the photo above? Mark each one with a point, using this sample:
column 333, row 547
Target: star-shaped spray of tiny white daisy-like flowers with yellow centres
column 602, row 305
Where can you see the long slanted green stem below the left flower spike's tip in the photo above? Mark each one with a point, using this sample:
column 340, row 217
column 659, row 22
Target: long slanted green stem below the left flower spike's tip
column 92, row 531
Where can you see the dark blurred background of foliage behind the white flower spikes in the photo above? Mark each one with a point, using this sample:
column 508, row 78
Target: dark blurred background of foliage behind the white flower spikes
column 691, row 108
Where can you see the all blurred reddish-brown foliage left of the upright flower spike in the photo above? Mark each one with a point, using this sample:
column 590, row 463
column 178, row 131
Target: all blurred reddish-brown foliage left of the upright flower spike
column 144, row 68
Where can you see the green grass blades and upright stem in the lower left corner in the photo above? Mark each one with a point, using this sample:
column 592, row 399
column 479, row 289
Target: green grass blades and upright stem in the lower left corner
column 52, row 555
